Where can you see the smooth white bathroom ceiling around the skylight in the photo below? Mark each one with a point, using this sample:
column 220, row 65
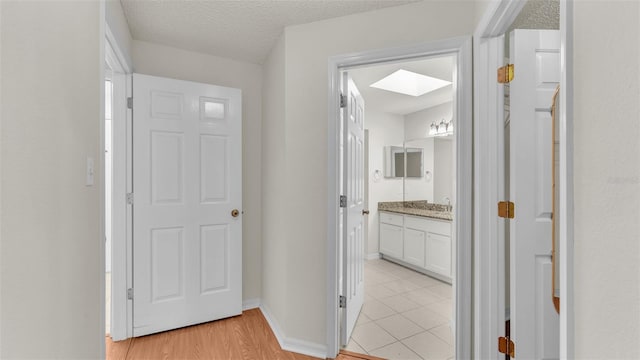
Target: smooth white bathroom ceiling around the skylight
column 394, row 103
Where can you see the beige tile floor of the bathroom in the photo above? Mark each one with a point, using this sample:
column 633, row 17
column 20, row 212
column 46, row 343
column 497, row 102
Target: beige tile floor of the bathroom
column 406, row 315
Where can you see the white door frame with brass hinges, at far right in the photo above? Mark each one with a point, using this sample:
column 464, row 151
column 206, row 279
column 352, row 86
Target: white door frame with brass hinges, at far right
column 489, row 186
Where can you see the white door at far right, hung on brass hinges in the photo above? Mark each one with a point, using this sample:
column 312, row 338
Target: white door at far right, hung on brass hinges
column 534, row 321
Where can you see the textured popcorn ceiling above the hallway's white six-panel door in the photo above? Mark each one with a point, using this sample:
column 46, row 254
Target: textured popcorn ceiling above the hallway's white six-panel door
column 237, row 29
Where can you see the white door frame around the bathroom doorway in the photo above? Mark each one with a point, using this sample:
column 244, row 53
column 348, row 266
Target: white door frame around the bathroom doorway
column 461, row 47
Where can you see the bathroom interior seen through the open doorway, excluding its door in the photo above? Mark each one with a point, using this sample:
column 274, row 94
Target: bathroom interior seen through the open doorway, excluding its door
column 408, row 194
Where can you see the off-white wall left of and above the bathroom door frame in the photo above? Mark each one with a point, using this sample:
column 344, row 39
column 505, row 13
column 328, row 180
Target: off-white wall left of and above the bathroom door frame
column 307, row 48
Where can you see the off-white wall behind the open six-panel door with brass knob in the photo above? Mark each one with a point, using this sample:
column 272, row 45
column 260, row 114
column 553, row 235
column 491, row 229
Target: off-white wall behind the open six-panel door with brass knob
column 160, row 60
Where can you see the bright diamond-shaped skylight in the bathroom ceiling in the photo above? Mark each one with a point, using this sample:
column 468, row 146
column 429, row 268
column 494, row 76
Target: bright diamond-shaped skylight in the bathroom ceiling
column 410, row 83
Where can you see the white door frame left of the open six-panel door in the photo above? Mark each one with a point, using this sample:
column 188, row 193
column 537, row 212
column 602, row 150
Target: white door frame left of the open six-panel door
column 121, row 242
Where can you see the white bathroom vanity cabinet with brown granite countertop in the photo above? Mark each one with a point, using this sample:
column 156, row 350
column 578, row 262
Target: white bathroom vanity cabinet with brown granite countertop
column 417, row 235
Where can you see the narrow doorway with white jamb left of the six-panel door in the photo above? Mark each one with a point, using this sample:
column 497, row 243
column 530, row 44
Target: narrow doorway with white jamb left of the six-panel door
column 117, row 211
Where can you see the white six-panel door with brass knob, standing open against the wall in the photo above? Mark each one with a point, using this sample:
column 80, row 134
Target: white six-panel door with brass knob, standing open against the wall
column 187, row 178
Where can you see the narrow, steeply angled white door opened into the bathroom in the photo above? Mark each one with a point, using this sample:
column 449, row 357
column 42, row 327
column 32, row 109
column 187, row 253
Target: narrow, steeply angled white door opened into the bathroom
column 353, row 189
